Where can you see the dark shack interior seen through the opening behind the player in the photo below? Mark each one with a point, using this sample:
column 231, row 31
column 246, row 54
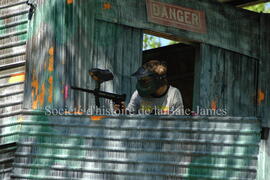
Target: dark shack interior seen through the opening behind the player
column 180, row 60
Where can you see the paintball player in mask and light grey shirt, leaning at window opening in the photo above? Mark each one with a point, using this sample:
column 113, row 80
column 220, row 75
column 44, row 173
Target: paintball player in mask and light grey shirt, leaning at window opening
column 154, row 95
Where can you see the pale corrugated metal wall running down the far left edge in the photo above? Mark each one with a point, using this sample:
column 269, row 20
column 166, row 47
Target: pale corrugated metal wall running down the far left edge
column 13, row 37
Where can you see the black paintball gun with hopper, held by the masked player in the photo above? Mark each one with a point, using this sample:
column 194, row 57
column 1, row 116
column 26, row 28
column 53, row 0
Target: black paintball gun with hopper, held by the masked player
column 100, row 76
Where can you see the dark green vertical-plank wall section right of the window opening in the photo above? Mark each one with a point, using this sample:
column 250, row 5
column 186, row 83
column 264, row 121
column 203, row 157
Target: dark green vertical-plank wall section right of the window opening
column 225, row 83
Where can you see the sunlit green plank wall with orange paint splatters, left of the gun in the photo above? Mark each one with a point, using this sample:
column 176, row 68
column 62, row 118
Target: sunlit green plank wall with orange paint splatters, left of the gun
column 55, row 40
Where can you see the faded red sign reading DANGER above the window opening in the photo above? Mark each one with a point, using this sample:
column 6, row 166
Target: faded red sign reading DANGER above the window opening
column 176, row 16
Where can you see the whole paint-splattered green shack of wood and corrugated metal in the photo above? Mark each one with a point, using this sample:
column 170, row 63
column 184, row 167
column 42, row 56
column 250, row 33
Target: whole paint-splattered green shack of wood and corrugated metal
column 222, row 62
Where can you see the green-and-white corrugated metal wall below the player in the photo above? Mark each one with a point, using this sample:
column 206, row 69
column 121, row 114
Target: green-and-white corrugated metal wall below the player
column 136, row 147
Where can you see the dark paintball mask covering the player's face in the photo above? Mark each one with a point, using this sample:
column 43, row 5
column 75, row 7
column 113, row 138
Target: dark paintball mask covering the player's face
column 148, row 82
